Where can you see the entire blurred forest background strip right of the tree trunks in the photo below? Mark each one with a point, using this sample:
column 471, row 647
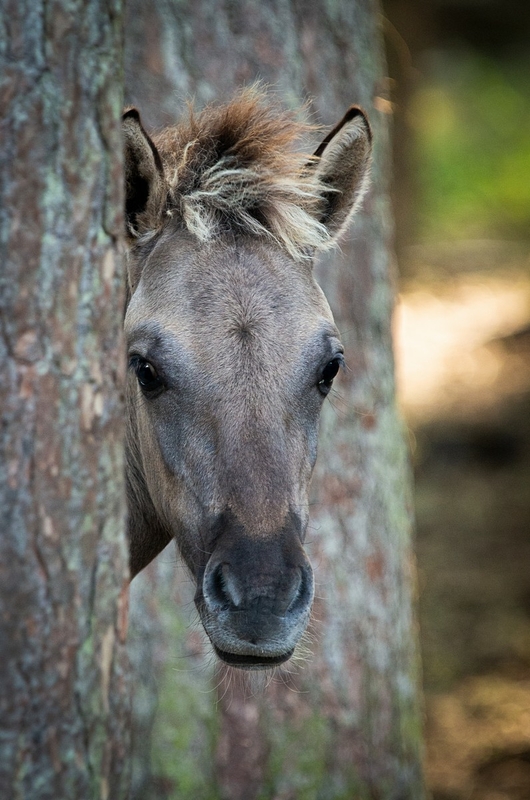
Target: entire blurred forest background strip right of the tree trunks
column 459, row 75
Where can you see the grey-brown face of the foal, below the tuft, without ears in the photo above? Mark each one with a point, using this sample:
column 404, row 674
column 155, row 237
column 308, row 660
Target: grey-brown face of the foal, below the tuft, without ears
column 232, row 349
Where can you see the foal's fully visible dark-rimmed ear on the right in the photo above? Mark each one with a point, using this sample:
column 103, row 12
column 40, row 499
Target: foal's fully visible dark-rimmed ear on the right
column 343, row 164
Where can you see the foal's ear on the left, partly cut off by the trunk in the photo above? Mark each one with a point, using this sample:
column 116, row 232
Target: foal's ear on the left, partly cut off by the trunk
column 145, row 186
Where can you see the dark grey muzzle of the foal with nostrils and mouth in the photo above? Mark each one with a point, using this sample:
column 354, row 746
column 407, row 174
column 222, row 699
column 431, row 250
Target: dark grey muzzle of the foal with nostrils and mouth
column 255, row 598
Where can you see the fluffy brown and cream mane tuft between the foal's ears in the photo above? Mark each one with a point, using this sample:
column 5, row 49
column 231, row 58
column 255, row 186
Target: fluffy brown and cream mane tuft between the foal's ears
column 238, row 168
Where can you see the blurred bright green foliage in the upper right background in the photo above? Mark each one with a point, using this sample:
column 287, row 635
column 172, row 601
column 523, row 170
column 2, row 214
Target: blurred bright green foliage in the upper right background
column 472, row 117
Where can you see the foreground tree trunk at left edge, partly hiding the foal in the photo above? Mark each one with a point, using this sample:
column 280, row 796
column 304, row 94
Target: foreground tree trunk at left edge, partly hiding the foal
column 63, row 562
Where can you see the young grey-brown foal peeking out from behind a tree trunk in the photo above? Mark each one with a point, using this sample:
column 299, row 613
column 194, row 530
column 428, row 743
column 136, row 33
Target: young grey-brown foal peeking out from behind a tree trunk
column 231, row 351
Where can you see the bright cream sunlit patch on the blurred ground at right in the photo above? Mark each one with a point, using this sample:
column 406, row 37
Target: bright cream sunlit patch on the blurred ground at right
column 446, row 350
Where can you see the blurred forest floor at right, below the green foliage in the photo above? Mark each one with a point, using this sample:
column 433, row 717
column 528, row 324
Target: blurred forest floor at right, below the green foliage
column 463, row 355
